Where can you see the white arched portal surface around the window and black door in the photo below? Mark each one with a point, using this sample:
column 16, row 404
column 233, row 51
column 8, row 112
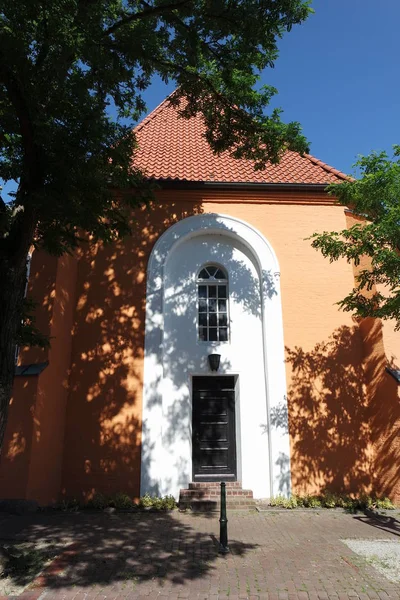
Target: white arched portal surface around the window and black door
column 254, row 354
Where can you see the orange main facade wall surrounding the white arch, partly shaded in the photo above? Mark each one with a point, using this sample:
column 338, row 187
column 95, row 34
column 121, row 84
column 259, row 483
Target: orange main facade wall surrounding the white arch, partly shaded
column 87, row 404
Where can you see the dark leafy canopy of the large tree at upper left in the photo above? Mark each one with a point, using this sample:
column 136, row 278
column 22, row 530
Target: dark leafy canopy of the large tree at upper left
column 64, row 62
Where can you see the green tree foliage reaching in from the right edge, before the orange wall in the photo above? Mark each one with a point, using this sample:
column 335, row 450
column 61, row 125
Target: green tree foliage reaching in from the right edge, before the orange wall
column 375, row 197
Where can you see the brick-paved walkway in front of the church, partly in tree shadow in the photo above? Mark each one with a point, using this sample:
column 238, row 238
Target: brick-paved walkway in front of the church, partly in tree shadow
column 275, row 556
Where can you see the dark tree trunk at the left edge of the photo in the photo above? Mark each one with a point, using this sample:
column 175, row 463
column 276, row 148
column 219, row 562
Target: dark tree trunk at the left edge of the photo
column 12, row 291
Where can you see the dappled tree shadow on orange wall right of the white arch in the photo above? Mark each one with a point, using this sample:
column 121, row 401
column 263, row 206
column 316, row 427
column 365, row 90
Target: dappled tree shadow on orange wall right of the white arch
column 337, row 422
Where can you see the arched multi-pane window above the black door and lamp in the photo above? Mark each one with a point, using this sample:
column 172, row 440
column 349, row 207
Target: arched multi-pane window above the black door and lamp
column 212, row 293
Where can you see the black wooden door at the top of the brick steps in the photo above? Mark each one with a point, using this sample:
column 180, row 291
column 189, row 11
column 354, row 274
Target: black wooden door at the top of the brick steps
column 213, row 427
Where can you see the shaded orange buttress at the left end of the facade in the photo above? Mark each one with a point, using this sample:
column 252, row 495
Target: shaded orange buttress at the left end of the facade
column 31, row 459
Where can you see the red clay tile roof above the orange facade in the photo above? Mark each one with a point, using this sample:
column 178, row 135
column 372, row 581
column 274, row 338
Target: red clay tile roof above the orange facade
column 174, row 148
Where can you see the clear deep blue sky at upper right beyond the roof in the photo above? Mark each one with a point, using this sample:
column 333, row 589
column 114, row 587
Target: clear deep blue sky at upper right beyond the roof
column 338, row 75
